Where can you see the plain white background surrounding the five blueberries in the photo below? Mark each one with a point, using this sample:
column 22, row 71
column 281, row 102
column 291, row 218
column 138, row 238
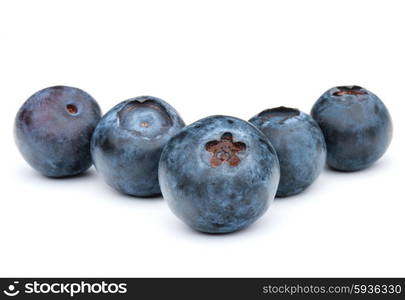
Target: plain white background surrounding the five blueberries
column 204, row 57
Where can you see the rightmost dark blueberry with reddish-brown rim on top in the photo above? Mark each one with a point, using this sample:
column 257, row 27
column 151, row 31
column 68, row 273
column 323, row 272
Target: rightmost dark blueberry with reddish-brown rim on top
column 356, row 124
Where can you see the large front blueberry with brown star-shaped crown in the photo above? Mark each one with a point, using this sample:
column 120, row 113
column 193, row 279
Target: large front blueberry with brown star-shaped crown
column 214, row 189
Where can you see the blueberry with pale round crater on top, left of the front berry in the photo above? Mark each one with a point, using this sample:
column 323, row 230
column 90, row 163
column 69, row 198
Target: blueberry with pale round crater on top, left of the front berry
column 127, row 144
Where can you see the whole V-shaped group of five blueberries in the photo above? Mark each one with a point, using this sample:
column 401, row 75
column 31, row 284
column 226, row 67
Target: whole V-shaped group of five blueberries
column 218, row 174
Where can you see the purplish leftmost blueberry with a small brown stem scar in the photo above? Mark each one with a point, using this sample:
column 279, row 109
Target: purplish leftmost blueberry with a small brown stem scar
column 53, row 130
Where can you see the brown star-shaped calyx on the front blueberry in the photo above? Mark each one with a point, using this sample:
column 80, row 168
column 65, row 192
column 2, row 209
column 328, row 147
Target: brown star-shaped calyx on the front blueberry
column 225, row 150
